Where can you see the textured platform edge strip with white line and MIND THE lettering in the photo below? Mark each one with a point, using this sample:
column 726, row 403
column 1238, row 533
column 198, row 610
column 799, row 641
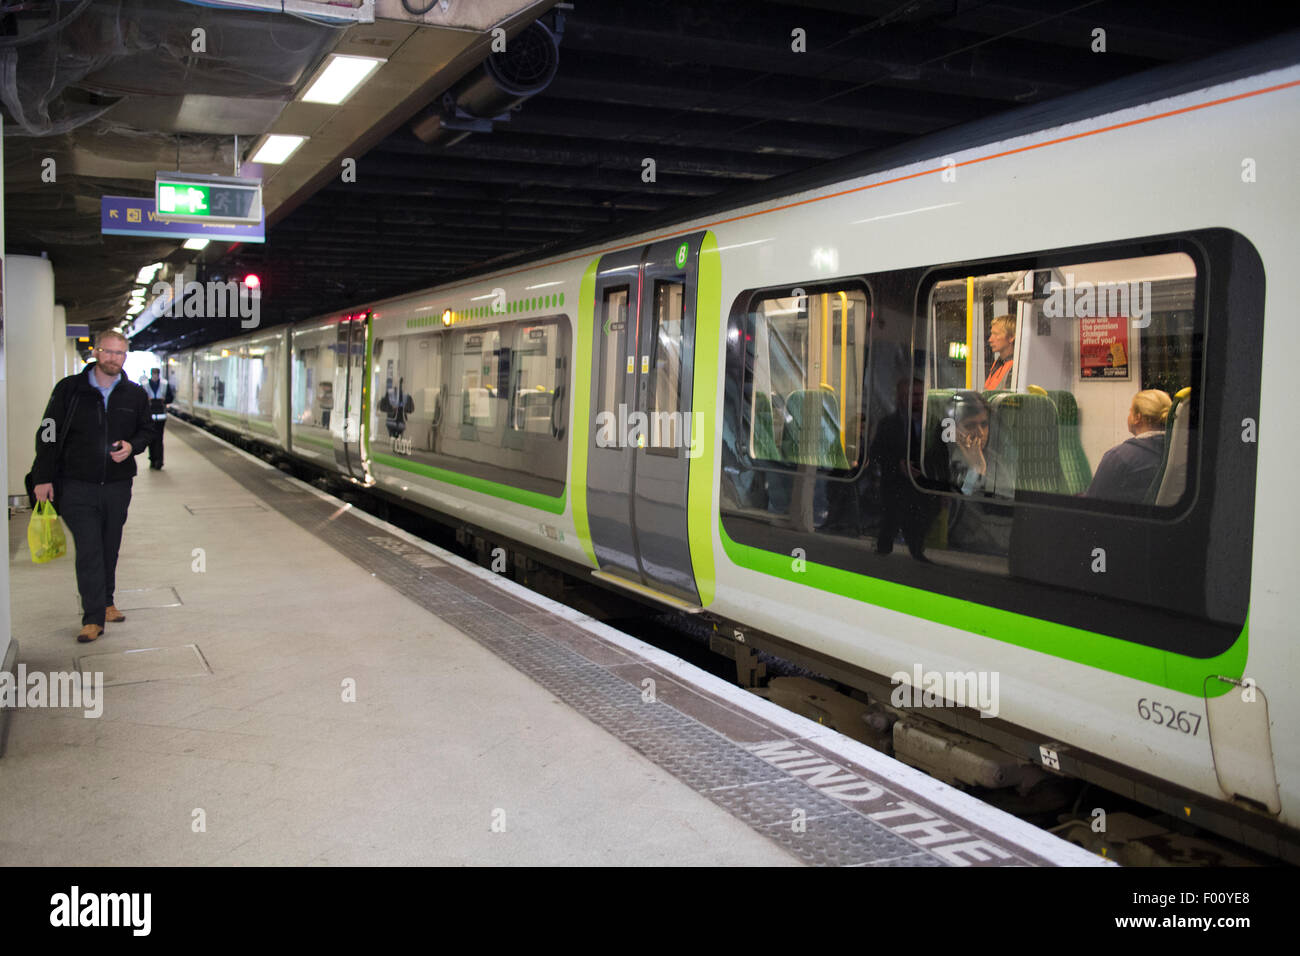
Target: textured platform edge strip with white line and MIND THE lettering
column 825, row 798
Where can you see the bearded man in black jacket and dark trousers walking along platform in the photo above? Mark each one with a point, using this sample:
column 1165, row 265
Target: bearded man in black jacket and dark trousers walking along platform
column 94, row 426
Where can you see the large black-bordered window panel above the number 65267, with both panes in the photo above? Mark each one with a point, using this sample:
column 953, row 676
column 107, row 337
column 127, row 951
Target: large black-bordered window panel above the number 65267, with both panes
column 1016, row 456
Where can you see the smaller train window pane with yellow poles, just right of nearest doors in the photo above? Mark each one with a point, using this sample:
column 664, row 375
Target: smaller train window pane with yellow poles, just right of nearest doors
column 805, row 379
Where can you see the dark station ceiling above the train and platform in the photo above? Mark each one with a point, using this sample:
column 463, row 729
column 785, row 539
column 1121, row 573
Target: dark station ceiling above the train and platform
column 716, row 92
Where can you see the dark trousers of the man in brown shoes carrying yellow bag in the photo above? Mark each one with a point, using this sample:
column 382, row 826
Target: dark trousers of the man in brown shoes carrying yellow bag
column 96, row 516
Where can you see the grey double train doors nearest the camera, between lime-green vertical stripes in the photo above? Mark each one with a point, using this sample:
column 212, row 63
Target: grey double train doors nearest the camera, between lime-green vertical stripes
column 640, row 444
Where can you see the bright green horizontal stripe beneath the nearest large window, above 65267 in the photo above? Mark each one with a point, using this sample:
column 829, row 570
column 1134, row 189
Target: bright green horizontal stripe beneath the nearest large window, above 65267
column 1138, row 661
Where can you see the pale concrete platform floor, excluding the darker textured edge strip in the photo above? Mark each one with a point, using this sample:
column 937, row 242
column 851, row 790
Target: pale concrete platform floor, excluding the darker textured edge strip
column 443, row 741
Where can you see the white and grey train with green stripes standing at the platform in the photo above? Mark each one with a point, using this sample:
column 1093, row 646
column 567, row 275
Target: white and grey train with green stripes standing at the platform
column 755, row 416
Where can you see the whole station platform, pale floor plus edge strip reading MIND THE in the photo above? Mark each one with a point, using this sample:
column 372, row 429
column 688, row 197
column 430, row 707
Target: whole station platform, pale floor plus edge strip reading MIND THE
column 298, row 682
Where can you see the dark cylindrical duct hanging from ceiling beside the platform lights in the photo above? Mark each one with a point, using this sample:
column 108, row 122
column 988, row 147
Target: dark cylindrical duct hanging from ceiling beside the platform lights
column 501, row 84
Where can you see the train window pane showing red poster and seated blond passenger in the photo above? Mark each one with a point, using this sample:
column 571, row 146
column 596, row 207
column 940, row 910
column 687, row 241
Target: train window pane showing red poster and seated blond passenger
column 1069, row 382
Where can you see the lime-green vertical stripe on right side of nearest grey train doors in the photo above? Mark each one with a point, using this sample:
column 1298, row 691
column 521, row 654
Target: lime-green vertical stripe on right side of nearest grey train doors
column 703, row 481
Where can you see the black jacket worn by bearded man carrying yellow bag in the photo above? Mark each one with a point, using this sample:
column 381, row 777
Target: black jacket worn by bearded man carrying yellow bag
column 81, row 447
